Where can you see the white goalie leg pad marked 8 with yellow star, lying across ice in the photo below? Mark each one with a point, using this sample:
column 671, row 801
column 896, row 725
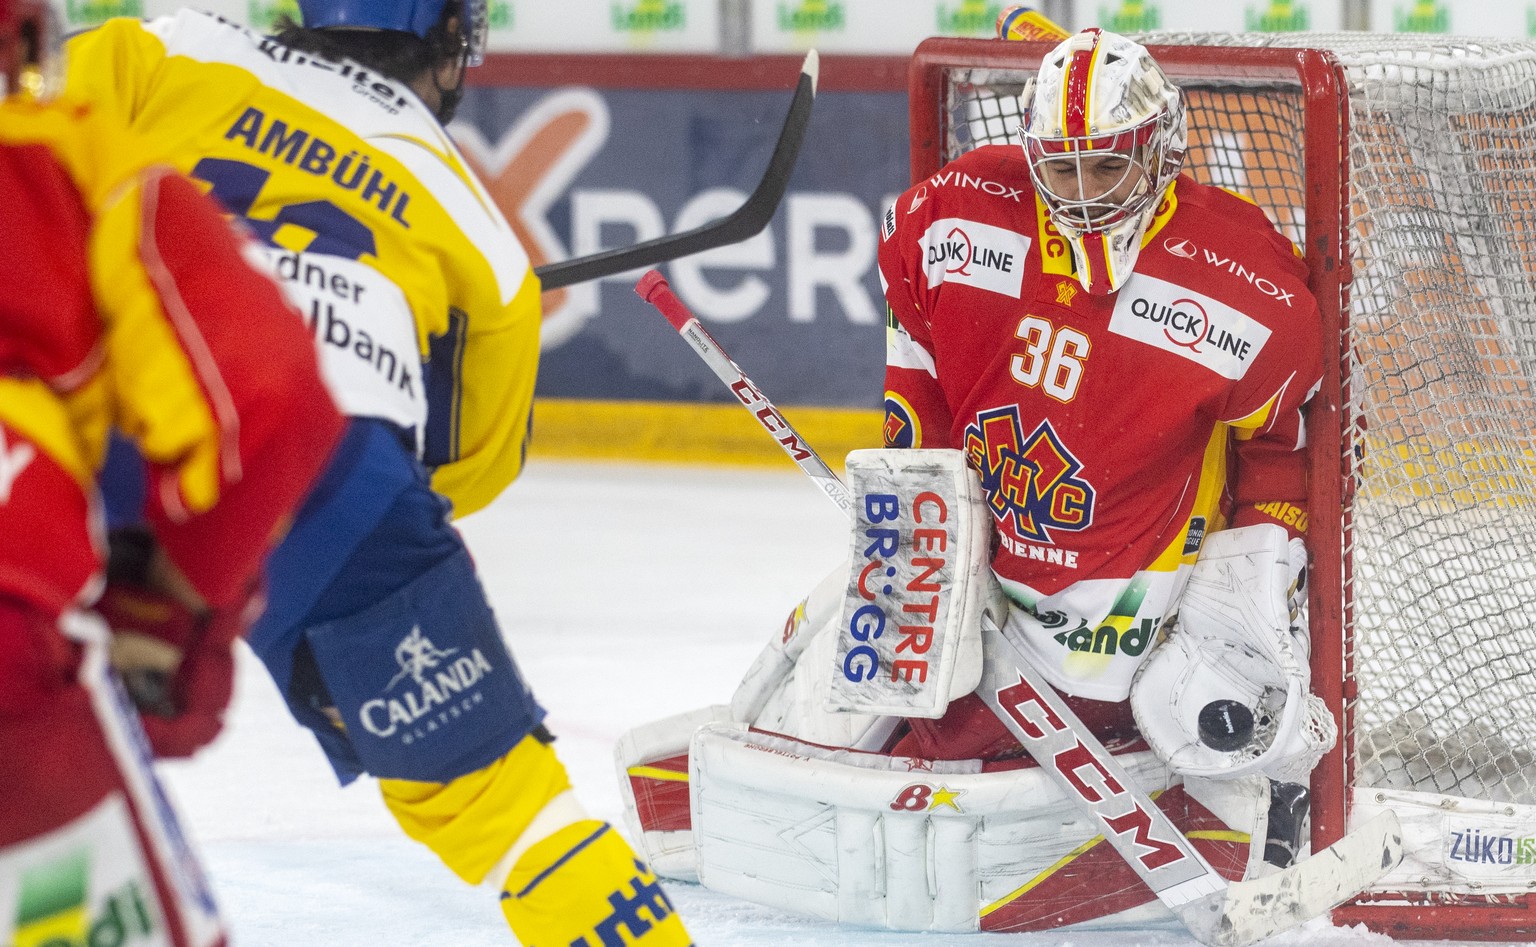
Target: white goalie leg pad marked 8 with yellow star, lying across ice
column 873, row 840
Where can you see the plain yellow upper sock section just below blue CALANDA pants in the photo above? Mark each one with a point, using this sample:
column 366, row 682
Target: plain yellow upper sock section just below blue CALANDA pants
column 472, row 822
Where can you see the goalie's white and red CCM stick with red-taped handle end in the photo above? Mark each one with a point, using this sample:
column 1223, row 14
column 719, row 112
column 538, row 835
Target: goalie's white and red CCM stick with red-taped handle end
column 1216, row 911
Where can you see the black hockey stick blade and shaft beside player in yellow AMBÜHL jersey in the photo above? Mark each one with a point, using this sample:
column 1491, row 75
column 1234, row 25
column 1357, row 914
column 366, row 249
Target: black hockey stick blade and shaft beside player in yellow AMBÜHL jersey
column 749, row 220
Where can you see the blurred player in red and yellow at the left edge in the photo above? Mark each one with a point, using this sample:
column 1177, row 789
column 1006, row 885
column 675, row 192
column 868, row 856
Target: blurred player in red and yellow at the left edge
column 127, row 305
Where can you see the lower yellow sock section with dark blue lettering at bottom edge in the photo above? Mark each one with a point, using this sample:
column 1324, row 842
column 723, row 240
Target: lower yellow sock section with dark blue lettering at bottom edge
column 584, row 886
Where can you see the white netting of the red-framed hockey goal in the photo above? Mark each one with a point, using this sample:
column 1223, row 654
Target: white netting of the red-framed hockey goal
column 1440, row 457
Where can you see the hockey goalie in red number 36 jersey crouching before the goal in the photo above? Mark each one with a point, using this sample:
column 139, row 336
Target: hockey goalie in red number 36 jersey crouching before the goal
column 1096, row 381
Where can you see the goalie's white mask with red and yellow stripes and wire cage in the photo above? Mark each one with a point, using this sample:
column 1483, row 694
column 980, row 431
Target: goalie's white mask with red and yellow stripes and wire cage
column 1105, row 137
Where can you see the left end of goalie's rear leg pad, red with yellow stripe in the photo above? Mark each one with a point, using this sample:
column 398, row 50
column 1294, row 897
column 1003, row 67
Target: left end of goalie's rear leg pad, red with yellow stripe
column 647, row 762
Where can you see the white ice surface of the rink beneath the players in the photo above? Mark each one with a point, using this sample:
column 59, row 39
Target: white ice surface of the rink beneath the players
column 627, row 593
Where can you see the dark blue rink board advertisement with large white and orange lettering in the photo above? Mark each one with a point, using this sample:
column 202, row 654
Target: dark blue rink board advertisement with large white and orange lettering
column 581, row 170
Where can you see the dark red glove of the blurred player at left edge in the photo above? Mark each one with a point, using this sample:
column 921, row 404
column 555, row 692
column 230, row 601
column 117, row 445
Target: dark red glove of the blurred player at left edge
column 174, row 653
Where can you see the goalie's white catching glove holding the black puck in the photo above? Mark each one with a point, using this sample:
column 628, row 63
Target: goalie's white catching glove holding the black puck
column 1236, row 641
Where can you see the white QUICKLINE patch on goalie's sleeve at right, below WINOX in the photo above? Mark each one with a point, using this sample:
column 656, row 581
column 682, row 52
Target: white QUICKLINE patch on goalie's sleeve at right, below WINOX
column 1200, row 329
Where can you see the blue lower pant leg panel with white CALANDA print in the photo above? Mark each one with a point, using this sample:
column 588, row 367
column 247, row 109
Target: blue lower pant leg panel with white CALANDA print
column 423, row 682
